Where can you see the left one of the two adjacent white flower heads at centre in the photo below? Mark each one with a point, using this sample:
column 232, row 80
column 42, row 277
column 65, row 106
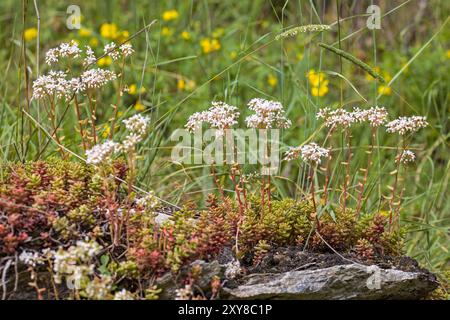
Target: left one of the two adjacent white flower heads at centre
column 220, row 116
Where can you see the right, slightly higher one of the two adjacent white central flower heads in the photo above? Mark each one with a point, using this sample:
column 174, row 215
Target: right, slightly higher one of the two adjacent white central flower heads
column 268, row 114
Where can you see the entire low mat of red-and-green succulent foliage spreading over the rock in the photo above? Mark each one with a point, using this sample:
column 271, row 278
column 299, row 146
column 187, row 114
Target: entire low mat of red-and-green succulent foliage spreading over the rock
column 55, row 203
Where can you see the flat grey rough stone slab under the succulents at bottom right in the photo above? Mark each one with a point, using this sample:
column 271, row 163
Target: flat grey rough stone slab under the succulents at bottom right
column 350, row 281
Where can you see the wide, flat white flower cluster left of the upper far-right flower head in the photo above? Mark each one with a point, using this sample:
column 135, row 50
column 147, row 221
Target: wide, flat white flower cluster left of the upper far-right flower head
column 376, row 116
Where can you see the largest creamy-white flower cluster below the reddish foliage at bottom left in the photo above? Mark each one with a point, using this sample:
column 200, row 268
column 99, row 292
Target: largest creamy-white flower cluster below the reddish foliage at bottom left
column 74, row 263
